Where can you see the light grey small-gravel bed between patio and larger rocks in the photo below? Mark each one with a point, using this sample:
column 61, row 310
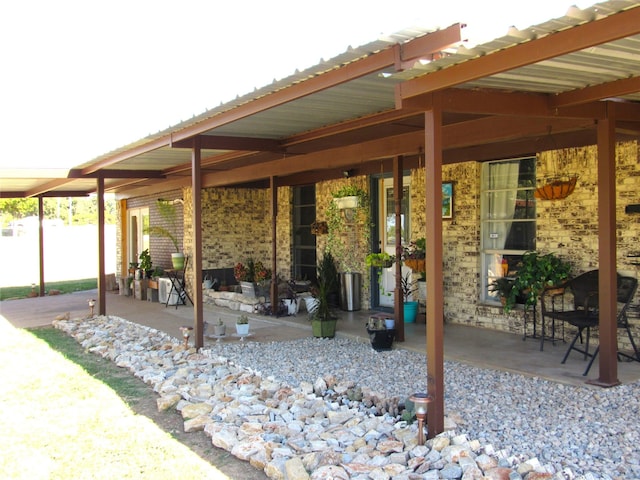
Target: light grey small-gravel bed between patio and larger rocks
column 592, row 431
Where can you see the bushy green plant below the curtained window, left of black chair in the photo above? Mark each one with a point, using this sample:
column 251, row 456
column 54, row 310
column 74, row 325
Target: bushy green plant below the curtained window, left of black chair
column 534, row 274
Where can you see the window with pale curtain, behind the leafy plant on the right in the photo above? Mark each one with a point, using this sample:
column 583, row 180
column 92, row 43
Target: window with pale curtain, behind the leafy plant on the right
column 508, row 218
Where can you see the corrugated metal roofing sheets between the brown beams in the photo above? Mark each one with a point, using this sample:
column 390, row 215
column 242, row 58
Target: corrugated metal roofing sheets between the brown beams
column 375, row 92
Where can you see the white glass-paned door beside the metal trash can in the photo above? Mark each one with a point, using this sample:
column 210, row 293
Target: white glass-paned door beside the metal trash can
column 387, row 222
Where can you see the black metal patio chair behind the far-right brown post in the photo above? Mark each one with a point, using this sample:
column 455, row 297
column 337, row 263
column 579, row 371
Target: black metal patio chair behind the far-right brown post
column 583, row 312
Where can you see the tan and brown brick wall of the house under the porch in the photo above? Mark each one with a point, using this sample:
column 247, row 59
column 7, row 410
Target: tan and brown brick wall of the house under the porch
column 237, row 225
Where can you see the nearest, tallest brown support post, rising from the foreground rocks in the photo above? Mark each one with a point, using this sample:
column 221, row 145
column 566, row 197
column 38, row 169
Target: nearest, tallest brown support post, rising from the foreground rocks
column 435, row 293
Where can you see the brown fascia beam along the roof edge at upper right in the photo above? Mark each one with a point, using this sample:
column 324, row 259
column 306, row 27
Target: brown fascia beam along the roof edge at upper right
column 597, row 32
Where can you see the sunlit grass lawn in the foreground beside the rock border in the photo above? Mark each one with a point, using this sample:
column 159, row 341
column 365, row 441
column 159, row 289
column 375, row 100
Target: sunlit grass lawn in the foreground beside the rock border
column 67, row 414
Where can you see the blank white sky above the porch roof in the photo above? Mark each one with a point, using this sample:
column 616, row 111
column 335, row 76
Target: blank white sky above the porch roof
column 82, row 78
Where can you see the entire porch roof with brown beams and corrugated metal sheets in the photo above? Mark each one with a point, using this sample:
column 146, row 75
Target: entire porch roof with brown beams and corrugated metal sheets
column 503, row 98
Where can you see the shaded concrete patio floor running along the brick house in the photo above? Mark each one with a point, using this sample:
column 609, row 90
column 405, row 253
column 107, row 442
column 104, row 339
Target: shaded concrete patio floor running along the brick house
column 469, row 345
